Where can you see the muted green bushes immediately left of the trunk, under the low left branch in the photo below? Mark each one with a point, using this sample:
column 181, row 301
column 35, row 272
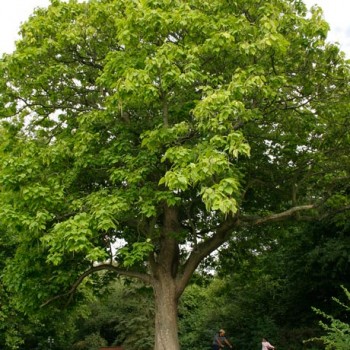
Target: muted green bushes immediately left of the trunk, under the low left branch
column 122, row 315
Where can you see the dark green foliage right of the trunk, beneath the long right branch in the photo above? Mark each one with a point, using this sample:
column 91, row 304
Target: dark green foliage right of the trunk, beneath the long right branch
column 268, row 285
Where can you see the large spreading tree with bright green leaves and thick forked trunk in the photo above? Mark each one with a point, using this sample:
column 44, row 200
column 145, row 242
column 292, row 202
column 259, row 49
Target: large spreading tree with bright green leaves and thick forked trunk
column 139, row 135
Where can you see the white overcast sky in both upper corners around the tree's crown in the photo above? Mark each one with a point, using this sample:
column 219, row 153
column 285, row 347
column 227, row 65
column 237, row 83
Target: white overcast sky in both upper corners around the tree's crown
column 14, row 12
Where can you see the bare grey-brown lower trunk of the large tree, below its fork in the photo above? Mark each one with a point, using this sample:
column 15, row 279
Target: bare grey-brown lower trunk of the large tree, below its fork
column 166, row 302
